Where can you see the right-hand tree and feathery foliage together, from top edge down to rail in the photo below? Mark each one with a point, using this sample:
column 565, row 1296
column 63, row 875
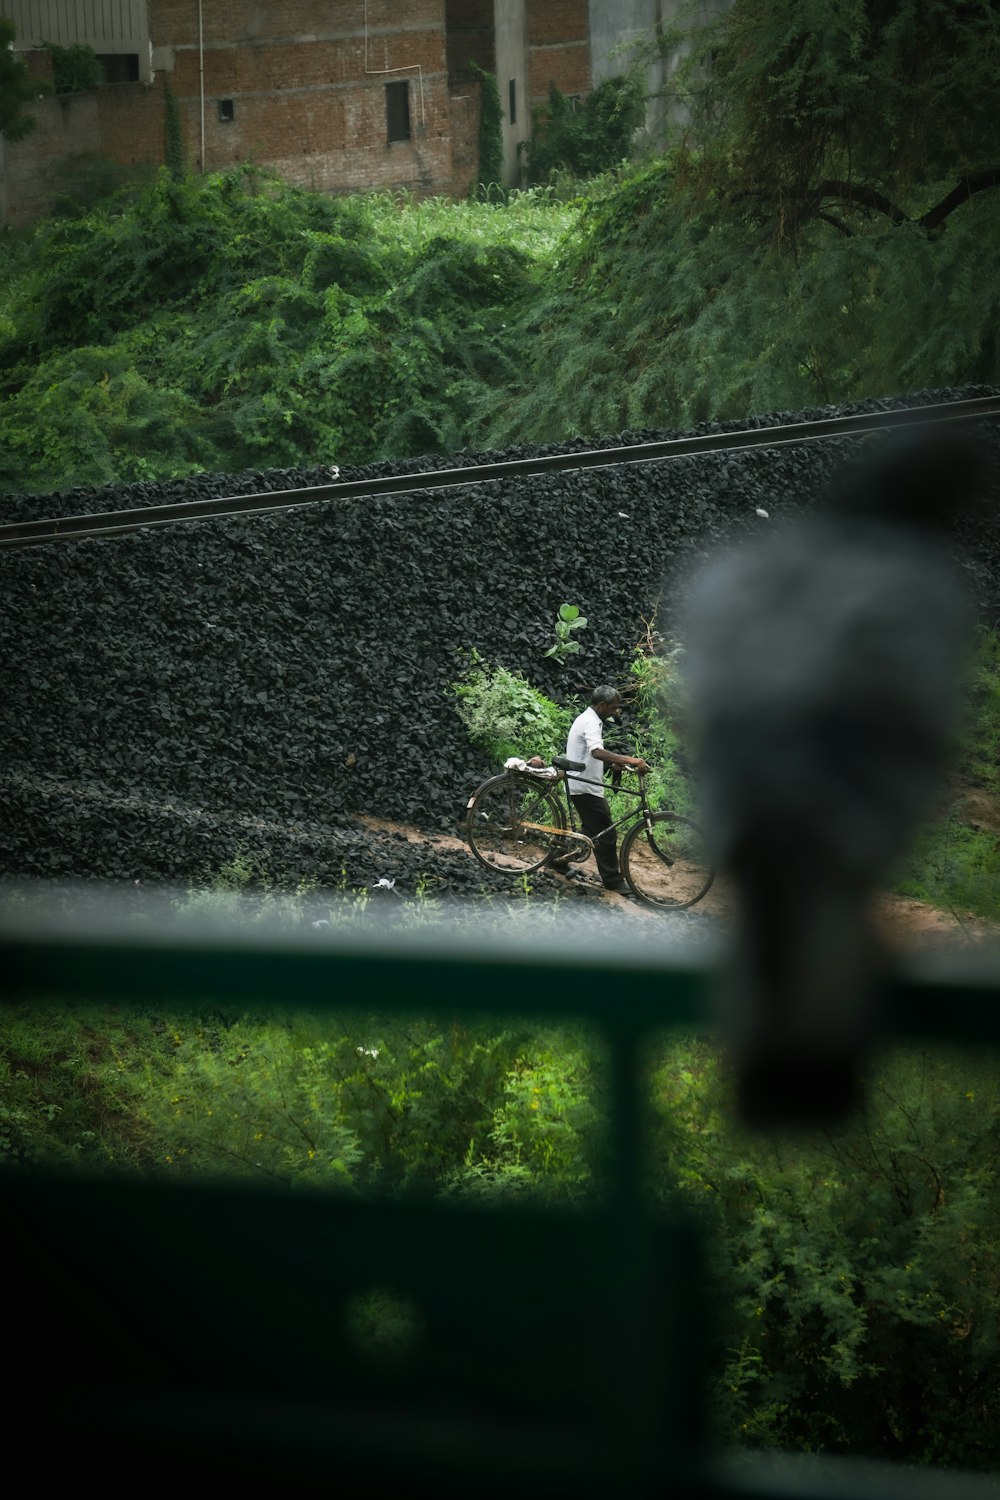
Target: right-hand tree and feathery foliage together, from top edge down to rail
column 819, row 227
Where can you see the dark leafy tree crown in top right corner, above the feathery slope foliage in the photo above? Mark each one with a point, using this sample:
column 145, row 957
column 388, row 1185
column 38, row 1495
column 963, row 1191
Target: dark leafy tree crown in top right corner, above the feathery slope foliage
column 845, row 110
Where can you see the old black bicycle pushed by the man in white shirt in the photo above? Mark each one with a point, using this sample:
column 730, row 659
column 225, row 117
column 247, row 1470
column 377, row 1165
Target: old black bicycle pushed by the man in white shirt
column 516, row 824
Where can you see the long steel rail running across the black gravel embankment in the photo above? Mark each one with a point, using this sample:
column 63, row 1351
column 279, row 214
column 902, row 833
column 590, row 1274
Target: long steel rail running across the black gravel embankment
column 116, row 523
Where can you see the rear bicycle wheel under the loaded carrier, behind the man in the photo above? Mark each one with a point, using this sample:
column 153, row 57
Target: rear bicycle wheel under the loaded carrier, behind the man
column 515, row 826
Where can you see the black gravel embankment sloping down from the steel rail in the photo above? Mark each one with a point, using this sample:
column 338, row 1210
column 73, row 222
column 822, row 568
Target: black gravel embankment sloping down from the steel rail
column 179, row 695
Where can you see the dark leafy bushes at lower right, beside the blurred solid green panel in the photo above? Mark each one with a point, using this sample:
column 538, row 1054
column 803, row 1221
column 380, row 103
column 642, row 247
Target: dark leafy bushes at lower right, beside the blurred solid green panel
column 858, row 1304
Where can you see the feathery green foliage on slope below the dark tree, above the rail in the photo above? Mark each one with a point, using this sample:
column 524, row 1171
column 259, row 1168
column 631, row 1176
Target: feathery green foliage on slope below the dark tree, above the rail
column 669, row 308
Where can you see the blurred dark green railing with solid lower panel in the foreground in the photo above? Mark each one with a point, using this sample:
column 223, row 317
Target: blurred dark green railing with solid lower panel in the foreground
column 203, row 1330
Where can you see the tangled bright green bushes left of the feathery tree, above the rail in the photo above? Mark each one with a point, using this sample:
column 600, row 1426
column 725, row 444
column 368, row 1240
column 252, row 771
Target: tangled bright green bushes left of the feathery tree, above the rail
column 235, row 322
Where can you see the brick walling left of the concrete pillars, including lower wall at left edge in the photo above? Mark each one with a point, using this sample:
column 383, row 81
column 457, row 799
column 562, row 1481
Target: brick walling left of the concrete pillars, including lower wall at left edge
column 307, row 97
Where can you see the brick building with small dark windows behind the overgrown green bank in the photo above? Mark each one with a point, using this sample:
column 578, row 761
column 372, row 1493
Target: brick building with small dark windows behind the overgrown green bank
column 335, row 95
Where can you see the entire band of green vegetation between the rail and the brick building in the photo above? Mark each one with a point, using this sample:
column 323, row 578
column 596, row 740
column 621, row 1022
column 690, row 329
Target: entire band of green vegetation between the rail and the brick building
column 821, row 224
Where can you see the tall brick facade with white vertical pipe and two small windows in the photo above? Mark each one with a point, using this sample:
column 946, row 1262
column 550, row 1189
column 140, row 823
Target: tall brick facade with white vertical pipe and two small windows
column 305, row 97
